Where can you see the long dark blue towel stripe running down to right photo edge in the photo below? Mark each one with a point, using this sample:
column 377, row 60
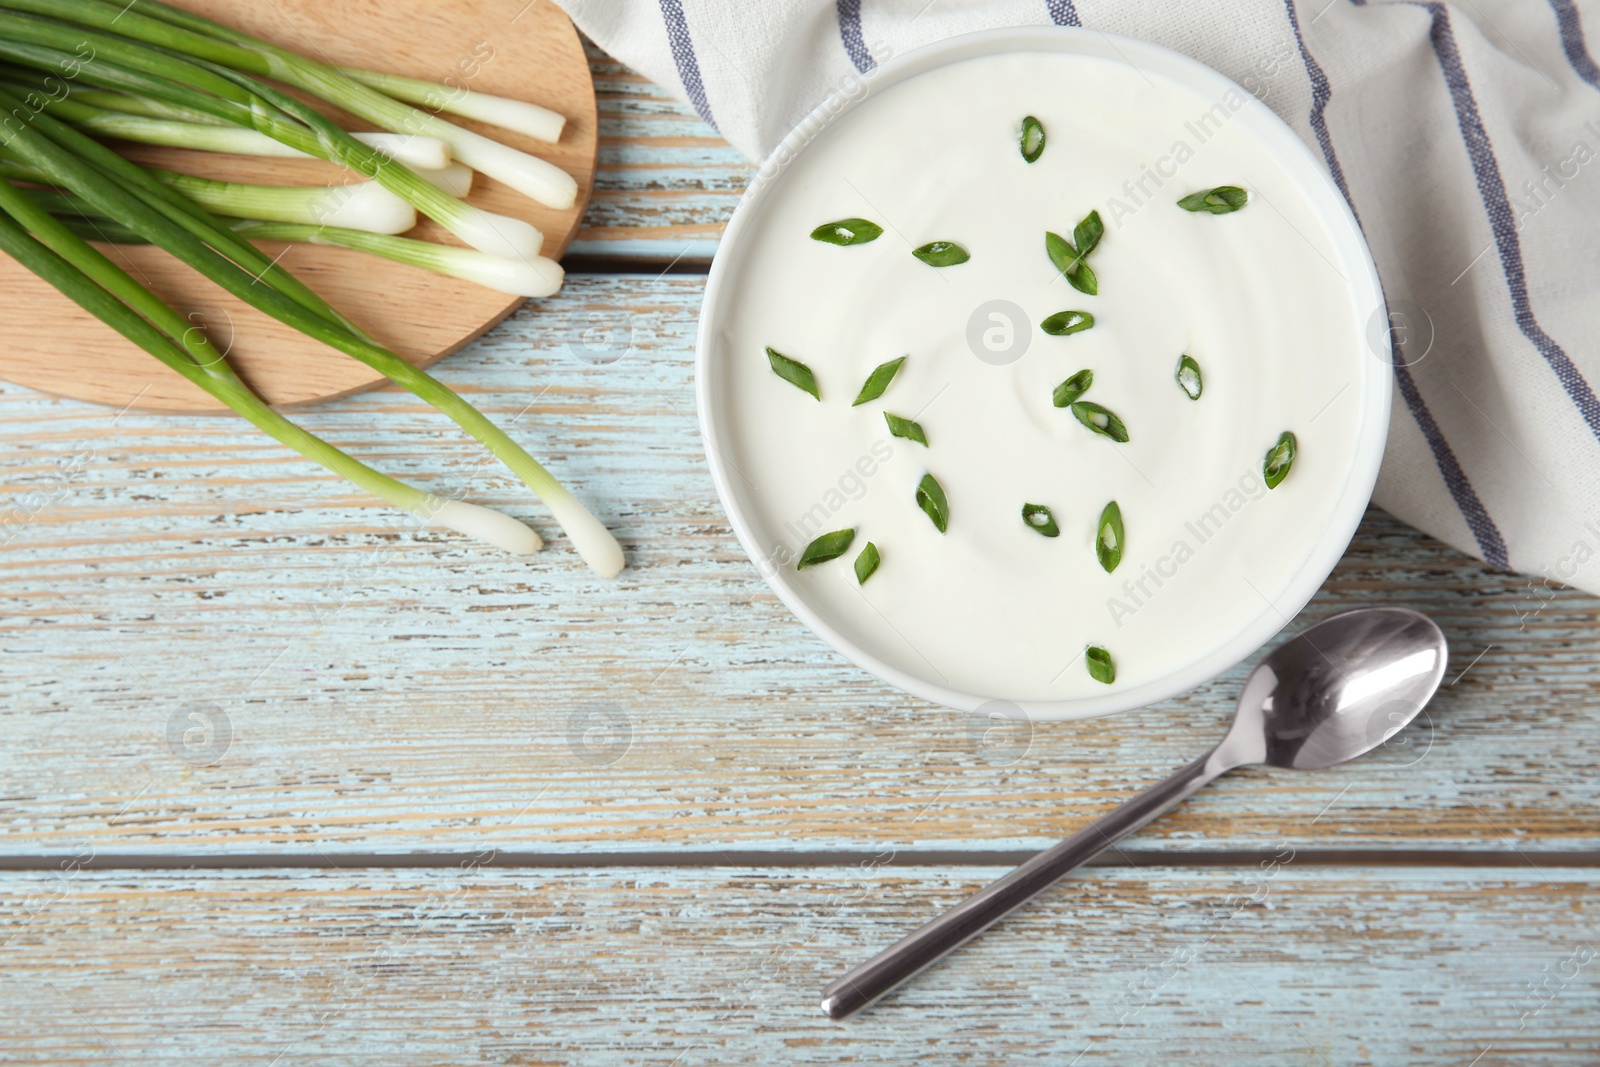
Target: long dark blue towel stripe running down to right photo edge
column 1492, row 190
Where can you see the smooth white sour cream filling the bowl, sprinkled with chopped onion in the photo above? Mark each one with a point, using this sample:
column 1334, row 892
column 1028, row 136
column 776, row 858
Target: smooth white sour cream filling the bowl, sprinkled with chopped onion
column 1262, row 300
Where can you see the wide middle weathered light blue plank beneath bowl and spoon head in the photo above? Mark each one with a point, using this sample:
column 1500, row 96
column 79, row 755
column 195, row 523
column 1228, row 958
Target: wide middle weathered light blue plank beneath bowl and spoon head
column 394, row 689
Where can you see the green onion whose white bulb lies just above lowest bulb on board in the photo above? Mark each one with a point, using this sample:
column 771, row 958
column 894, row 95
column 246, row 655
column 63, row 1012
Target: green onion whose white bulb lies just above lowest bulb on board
column 127, row 65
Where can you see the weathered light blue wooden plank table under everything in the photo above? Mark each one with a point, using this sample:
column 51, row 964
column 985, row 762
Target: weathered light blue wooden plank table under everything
column 465, row 809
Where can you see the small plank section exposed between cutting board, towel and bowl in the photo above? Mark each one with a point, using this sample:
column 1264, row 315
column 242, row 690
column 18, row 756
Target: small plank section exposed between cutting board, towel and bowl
column 666, row 183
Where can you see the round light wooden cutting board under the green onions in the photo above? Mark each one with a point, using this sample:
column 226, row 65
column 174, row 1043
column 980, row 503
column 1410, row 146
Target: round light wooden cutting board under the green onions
column 505, row 47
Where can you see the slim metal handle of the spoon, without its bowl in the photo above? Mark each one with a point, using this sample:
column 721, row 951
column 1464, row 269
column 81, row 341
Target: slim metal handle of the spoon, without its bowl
column 914, row 953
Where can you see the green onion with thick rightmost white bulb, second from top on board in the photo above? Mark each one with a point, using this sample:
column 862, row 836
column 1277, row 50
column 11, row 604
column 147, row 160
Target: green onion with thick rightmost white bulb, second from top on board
column 199, row 38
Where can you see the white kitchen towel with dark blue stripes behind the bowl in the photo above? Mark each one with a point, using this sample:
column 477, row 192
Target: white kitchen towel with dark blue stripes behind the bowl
column 1465, row 138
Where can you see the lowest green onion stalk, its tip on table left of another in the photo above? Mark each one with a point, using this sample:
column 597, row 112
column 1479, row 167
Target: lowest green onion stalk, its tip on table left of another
column 113, row 297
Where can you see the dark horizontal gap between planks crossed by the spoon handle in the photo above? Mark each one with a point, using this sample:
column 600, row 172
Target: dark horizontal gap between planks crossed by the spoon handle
column 1132, row 858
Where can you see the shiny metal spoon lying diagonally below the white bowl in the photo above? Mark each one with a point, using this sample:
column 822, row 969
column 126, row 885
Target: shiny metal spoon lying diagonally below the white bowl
column 1330, row 695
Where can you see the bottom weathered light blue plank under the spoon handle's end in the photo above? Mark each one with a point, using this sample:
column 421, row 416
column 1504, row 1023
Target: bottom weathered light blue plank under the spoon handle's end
column 1281, row 965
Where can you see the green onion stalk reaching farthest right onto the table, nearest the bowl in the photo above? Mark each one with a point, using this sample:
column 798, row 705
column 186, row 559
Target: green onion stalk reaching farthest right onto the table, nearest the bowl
column 44, row 143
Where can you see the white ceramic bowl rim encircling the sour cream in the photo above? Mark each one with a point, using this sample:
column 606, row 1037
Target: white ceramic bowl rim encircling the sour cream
column 1375, row 386
